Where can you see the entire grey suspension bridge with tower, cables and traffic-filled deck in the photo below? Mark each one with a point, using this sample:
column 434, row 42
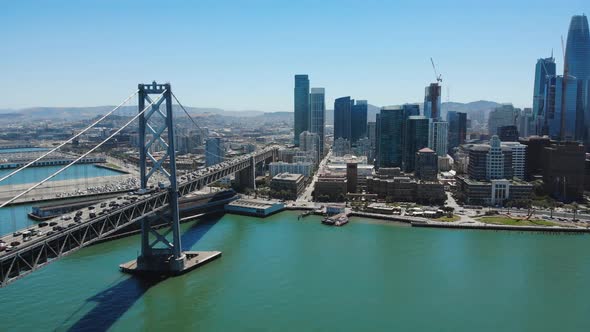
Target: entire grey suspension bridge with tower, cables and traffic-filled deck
column 160, row 253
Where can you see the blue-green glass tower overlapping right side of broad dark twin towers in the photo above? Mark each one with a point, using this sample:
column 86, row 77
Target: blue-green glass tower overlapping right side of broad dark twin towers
column 416, row 138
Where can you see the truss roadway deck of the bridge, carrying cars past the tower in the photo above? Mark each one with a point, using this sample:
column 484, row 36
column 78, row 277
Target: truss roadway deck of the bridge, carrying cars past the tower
column 68, row 235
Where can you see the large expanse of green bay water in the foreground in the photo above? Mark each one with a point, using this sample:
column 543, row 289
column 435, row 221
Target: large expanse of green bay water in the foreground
column 280, row 274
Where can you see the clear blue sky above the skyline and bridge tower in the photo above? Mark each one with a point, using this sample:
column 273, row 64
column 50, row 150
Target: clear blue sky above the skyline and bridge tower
column 242, row 55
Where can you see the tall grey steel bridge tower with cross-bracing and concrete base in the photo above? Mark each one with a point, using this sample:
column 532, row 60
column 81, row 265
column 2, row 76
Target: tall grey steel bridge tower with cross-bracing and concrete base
column 160, row 255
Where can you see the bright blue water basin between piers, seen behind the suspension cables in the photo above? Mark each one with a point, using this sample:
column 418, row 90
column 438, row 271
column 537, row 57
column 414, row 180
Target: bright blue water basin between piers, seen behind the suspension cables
column 36, row 174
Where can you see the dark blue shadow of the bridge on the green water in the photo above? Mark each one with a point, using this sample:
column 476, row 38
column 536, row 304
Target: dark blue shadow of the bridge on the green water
column 112, row 303
